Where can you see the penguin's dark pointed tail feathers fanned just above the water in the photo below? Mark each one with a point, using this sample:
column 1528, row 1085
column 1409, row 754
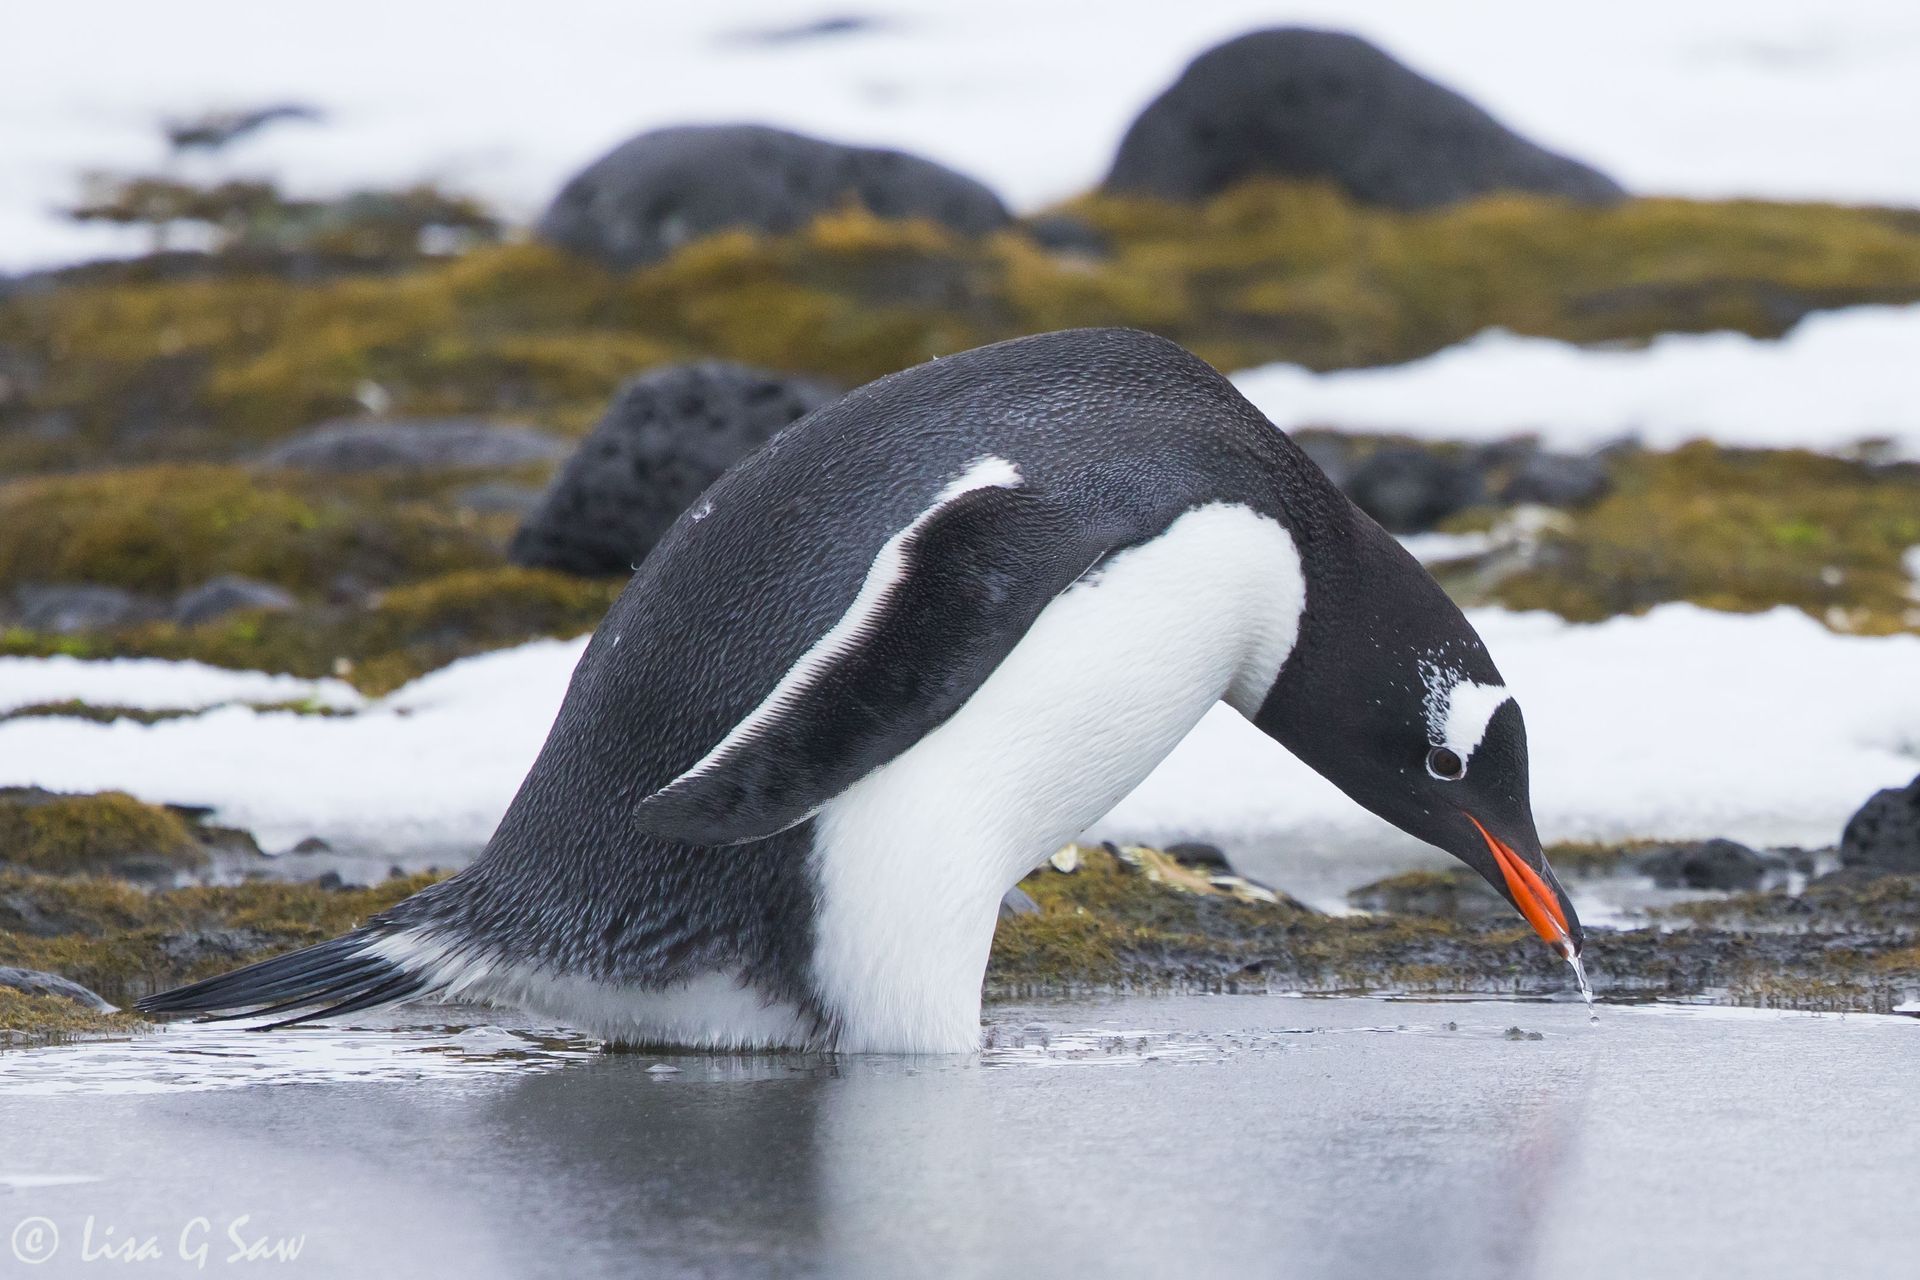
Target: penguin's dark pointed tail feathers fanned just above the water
column 327, row 980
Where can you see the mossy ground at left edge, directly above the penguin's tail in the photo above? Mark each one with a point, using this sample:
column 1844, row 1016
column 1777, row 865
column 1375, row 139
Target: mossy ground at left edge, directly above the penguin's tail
column 126, row 945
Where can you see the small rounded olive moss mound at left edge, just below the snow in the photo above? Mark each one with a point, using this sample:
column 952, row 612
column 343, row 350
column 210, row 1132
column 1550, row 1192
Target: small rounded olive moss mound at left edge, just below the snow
column 93, row 834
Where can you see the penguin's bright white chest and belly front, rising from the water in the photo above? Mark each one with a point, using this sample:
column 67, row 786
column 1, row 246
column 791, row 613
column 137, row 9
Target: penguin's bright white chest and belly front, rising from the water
column 913, row 859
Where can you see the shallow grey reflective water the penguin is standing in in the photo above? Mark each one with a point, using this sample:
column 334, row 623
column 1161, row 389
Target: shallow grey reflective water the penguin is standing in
column 1203, row 1135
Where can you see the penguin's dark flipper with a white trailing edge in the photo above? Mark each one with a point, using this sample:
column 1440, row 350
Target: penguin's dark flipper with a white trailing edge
column 944, row 604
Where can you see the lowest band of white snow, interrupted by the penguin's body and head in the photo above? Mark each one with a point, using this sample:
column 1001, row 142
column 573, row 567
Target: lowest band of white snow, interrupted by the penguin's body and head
column 1765, row 728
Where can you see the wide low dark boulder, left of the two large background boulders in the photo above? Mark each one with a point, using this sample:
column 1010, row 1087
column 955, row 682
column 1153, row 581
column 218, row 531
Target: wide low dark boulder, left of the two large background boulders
column 663, row 189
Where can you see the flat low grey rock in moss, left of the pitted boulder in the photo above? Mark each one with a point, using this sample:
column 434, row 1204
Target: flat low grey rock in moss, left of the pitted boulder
column 406, row 444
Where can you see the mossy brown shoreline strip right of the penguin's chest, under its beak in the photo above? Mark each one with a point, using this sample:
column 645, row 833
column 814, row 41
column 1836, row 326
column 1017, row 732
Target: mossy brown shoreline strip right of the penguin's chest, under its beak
column 1109, row 928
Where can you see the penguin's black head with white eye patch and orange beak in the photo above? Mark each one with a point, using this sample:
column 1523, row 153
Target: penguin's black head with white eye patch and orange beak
column 1391, row 696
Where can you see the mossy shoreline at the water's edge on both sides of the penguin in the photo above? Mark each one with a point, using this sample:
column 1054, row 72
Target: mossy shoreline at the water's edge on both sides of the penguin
column 1103, row 928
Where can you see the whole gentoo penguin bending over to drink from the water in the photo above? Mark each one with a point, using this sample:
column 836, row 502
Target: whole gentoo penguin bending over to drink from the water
column 898, row 657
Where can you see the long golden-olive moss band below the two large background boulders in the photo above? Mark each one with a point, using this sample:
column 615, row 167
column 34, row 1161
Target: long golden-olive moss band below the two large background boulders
column 1266, row 272
